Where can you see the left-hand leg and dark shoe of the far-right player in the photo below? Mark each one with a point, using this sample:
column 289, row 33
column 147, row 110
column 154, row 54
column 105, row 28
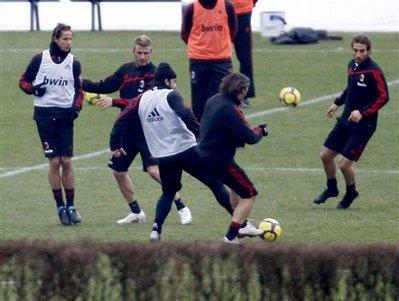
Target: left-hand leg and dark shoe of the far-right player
column 327, row 158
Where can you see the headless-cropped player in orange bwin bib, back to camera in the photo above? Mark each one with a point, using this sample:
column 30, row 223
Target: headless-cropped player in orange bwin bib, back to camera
column 208, row 29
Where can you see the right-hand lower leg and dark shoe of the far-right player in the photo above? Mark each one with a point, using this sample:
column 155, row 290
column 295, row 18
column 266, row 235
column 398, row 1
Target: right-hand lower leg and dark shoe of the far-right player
column 346, row 167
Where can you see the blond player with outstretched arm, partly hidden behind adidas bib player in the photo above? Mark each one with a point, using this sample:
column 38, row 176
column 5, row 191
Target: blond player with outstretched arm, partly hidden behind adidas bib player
column 132, row 79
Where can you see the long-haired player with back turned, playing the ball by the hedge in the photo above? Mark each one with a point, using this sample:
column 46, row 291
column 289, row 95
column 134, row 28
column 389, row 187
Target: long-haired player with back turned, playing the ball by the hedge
column 224, row 129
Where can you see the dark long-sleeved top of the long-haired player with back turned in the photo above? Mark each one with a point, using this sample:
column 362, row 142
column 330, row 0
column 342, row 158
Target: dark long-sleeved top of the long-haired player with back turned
column 223, row 129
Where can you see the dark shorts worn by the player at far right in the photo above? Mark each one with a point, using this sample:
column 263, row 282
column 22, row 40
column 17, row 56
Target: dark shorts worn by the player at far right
column 349, row 139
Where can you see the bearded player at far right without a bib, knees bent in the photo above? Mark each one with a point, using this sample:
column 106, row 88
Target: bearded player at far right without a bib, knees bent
column 366, row 92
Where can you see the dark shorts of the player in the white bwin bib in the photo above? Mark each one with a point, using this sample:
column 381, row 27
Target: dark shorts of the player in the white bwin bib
column 56, row 136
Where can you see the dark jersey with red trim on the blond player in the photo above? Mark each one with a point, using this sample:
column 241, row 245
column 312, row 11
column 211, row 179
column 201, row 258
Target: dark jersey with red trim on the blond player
column 129, row 80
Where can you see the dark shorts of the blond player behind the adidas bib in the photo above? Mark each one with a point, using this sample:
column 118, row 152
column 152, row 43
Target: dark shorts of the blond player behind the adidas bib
column 122, row 163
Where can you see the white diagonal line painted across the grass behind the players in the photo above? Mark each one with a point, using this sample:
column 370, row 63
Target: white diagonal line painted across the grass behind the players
column 262, row 113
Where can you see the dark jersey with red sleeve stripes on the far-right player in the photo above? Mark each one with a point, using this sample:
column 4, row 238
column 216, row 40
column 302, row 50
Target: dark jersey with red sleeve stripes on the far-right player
column 366, row 91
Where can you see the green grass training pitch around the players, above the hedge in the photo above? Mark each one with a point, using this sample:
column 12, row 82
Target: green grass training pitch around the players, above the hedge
column 284, row 167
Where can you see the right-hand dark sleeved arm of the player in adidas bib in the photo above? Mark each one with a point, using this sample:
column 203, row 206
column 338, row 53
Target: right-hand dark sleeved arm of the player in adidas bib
column 175, row 101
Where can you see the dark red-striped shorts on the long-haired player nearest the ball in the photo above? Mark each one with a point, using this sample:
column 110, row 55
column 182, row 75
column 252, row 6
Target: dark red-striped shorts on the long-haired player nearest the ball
column 234, row 177
